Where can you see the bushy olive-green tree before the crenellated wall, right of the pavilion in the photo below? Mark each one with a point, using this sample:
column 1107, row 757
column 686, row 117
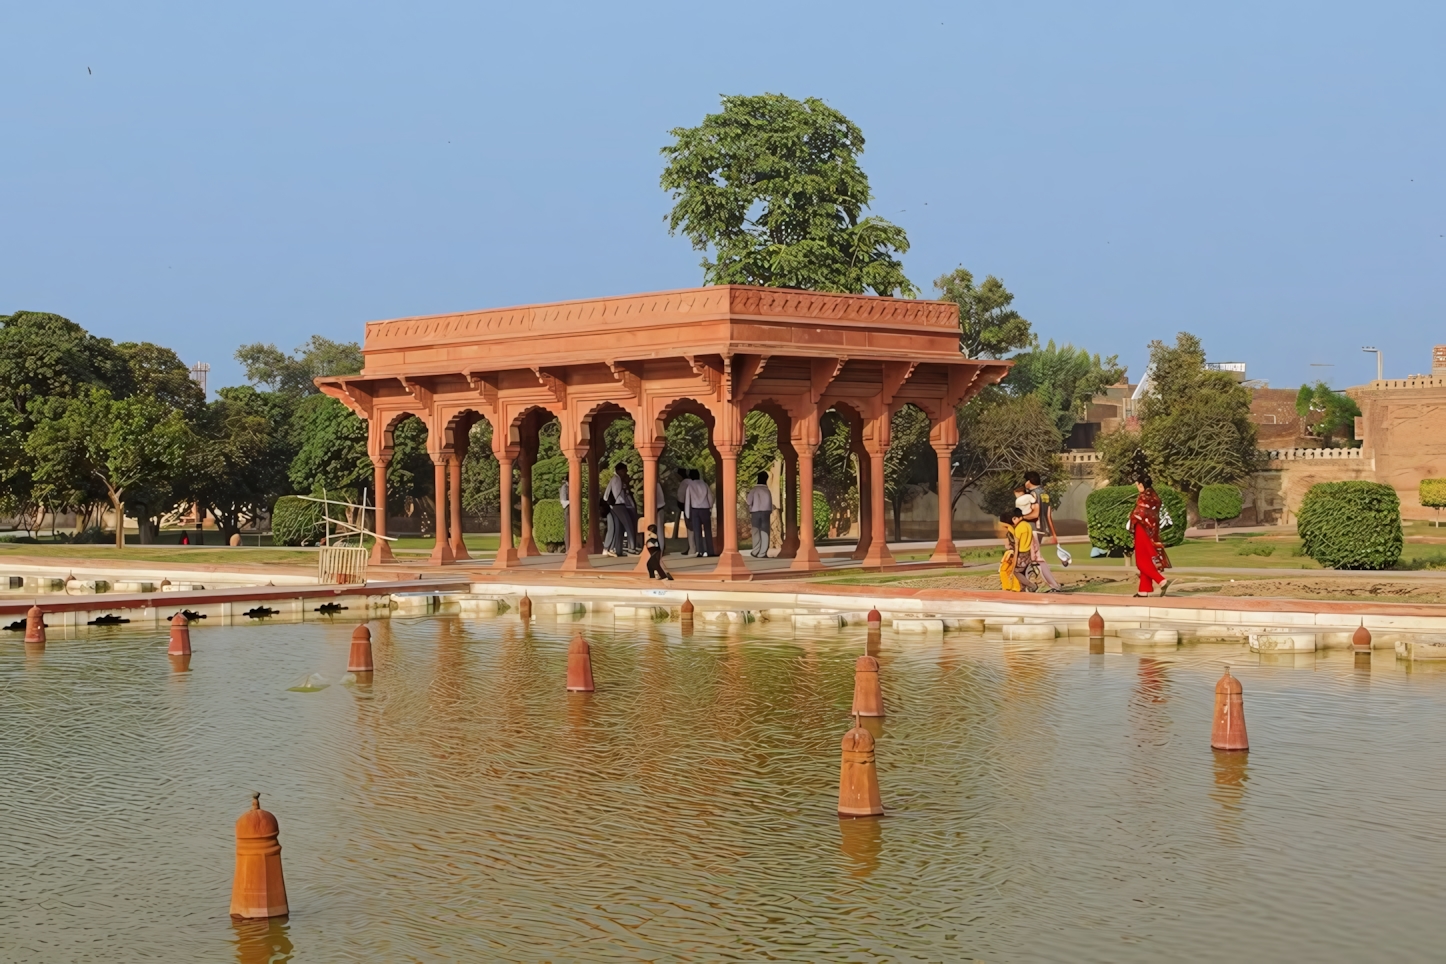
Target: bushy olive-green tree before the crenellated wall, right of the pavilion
column 1195, row 424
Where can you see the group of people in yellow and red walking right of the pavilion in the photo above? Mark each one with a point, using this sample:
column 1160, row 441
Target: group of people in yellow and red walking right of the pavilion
column 1024, row 567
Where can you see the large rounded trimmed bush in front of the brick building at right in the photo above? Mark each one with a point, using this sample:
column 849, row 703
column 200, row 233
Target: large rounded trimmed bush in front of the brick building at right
column 1353, row 525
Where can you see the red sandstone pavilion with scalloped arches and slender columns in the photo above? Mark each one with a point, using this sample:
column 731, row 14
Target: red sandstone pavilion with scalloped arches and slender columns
column 718, row 353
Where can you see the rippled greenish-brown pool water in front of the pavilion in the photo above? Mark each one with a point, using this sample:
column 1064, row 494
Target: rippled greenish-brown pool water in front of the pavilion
column 1043, row 804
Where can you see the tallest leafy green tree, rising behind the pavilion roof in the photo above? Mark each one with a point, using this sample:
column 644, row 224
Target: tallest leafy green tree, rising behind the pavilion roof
column 773, row 187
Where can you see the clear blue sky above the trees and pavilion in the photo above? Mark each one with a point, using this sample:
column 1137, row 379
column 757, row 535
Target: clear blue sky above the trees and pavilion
column 1266, row 176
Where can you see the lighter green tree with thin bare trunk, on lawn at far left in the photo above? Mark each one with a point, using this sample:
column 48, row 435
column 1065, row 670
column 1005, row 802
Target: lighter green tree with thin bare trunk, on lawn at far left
column 118, row 443
